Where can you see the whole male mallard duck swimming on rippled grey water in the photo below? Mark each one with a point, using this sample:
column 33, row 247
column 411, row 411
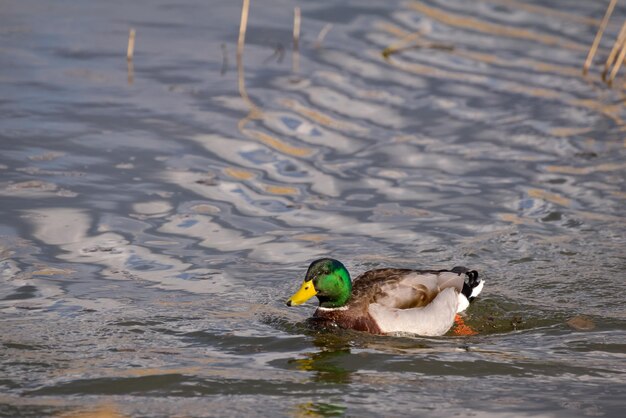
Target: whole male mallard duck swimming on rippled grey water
column 381, row 301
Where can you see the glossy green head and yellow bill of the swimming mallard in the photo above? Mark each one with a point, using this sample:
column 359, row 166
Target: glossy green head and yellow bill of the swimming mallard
column 327, row 279
